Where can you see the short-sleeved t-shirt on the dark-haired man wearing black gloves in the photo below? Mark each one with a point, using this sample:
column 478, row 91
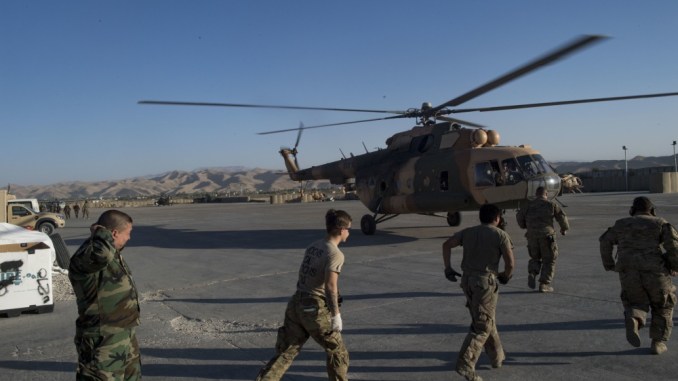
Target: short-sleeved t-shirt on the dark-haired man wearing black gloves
column 484, row 245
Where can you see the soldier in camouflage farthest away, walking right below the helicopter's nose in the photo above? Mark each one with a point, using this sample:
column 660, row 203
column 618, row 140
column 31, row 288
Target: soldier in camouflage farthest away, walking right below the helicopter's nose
column 537, row 217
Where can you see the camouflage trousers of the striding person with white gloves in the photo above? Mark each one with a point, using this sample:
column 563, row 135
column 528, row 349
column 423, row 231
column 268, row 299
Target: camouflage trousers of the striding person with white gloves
column 307, row 315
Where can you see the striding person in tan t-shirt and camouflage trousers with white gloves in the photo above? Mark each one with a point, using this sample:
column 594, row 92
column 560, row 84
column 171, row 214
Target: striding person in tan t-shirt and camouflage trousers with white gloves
column 313, row 311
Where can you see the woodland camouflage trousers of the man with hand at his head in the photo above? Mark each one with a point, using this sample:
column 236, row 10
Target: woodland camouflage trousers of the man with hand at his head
column 111, row 355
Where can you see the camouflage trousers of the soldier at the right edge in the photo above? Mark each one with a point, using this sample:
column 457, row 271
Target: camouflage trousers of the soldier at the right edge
column 645, row 291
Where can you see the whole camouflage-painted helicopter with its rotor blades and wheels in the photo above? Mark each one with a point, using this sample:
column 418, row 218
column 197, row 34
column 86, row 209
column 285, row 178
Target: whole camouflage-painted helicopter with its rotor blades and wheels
column 438, row 166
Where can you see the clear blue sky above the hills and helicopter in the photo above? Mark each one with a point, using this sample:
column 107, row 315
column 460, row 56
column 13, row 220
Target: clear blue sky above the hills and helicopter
column 71, row 73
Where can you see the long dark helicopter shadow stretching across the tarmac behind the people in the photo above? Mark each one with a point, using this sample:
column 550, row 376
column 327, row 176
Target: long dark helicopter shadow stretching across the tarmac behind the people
column 160, row 237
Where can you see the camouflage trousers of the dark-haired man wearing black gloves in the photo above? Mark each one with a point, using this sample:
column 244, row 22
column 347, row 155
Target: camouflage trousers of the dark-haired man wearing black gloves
column 481, row 293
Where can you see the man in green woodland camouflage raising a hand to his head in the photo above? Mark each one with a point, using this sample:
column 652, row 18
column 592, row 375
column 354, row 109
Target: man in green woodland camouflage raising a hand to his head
column 108, row 305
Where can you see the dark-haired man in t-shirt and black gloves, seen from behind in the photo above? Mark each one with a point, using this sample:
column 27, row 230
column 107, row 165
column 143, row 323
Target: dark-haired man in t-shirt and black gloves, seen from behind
column 484, row 245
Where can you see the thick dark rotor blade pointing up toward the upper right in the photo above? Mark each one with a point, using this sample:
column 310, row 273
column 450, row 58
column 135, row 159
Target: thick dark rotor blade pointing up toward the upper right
column 577, row 44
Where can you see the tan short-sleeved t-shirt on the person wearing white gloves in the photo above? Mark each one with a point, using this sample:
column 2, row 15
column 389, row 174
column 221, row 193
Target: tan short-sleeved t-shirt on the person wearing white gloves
column 320, row 257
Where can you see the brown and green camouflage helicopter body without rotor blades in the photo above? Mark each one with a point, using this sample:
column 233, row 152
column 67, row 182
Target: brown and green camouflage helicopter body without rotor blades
column 439, row 168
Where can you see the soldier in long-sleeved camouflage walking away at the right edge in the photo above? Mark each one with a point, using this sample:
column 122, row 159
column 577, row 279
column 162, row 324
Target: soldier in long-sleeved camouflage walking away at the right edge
column 644, row 271
